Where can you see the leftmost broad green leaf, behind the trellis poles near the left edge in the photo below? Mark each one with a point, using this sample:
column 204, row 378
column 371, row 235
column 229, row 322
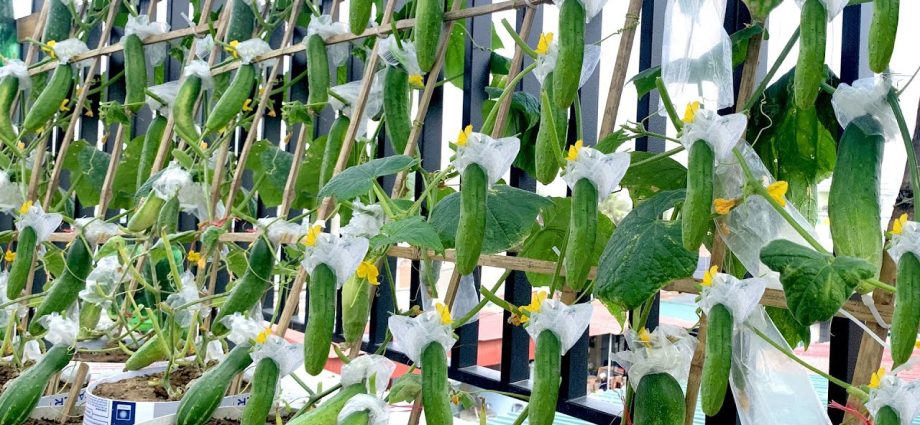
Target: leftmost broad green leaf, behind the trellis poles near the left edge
column 87, row 166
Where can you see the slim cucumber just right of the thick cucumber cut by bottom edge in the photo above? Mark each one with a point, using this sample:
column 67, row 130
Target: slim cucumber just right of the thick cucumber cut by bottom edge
column 718, row 360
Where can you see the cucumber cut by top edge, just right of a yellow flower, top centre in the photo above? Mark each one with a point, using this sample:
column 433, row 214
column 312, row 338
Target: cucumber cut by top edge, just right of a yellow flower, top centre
column 571, row 53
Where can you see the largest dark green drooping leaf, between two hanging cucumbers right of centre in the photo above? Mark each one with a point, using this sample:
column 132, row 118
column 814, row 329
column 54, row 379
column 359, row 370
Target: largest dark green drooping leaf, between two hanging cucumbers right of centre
column 644, row 255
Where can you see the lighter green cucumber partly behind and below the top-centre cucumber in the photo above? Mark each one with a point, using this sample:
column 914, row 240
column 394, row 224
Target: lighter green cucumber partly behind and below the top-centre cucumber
column 547, row 143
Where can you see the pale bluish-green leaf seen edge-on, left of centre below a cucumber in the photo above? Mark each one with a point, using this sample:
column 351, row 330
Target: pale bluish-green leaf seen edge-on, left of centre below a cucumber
column 358, row 180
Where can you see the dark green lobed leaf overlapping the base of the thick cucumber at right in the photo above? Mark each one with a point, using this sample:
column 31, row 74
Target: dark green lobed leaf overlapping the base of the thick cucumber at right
column 816, row 285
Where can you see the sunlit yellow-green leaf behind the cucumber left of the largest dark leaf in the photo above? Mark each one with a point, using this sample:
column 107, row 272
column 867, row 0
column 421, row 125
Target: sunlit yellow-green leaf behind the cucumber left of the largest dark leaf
column 549, row 237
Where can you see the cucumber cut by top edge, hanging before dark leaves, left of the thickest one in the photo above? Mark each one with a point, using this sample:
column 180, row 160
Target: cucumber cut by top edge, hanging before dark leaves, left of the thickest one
column 809, row 70
